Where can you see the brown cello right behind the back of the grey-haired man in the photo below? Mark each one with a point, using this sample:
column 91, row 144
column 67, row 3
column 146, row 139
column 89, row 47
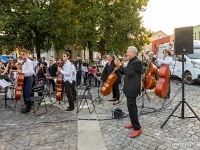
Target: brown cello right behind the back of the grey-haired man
column 149, row 81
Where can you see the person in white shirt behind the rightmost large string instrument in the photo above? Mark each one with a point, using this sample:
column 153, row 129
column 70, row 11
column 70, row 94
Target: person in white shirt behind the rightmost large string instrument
column 167, row 59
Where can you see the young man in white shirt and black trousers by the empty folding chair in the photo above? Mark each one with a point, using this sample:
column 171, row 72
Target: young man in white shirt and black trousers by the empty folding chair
column 67, row 78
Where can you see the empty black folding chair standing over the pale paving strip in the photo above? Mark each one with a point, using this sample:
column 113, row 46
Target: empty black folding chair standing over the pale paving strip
column 83, row 98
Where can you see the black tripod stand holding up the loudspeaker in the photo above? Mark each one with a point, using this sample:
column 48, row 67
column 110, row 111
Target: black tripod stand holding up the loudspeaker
column 182, row 102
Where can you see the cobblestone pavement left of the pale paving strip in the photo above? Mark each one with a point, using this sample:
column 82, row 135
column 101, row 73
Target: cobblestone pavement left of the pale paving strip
column 53, row 130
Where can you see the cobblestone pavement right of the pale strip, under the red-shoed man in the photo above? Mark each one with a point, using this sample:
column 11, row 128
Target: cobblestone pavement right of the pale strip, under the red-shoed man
column 176, row 134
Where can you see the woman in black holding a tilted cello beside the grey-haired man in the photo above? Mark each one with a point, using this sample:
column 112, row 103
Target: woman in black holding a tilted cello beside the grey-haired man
column 108, row 69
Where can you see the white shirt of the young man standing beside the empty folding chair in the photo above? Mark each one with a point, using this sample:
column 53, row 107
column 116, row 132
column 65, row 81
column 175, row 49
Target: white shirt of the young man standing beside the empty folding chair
column 67, row 72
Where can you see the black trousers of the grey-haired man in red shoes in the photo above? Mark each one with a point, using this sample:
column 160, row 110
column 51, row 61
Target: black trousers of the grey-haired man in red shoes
column 133, row 112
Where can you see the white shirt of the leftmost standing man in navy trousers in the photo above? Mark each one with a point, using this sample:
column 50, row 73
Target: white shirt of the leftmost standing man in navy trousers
column 27, row 68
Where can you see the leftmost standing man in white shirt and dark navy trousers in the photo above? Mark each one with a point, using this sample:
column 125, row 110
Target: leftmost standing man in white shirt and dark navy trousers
column 28, row 71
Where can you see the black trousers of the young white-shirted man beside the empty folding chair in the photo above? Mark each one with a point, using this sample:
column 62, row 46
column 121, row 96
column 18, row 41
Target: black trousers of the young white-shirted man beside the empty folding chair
column 68, row 90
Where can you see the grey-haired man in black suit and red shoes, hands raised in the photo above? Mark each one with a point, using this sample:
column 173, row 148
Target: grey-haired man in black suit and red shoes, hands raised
column 132, row 87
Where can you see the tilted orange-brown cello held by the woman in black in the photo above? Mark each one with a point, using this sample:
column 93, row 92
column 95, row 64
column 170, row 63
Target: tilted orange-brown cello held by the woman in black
column 108, row 85
